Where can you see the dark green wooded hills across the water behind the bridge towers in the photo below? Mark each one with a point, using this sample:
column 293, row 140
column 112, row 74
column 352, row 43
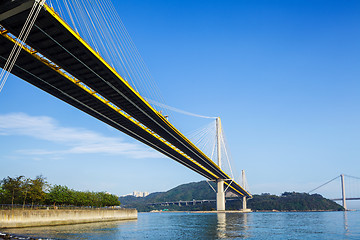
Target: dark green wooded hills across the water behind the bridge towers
column 288, row 201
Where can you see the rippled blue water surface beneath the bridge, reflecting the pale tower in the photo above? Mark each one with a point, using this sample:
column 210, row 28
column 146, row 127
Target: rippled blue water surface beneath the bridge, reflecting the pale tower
column 308, row 225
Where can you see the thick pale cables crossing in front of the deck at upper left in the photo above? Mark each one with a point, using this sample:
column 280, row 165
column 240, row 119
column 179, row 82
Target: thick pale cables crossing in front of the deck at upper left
column 34, row 12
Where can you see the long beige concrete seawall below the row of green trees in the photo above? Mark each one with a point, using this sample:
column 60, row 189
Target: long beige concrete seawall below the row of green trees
column 33, row 218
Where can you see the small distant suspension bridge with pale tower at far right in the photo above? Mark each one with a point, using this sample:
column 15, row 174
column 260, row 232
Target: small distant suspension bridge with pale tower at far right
column 353, row 185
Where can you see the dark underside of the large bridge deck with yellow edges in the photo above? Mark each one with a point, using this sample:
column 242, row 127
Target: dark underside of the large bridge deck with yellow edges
column 57, row 42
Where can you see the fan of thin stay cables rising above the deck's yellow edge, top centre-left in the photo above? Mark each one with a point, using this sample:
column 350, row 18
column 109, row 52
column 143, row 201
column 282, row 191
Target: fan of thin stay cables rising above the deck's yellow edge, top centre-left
column 99, row 23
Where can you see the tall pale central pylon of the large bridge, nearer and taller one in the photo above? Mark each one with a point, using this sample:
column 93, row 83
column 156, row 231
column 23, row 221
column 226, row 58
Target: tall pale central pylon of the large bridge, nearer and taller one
column 220, row 194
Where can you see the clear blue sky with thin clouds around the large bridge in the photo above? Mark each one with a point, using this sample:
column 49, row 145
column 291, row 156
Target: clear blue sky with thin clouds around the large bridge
column 282, row 75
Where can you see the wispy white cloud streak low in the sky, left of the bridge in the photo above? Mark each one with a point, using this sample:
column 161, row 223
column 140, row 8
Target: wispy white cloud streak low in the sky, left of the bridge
column 74, row 140
